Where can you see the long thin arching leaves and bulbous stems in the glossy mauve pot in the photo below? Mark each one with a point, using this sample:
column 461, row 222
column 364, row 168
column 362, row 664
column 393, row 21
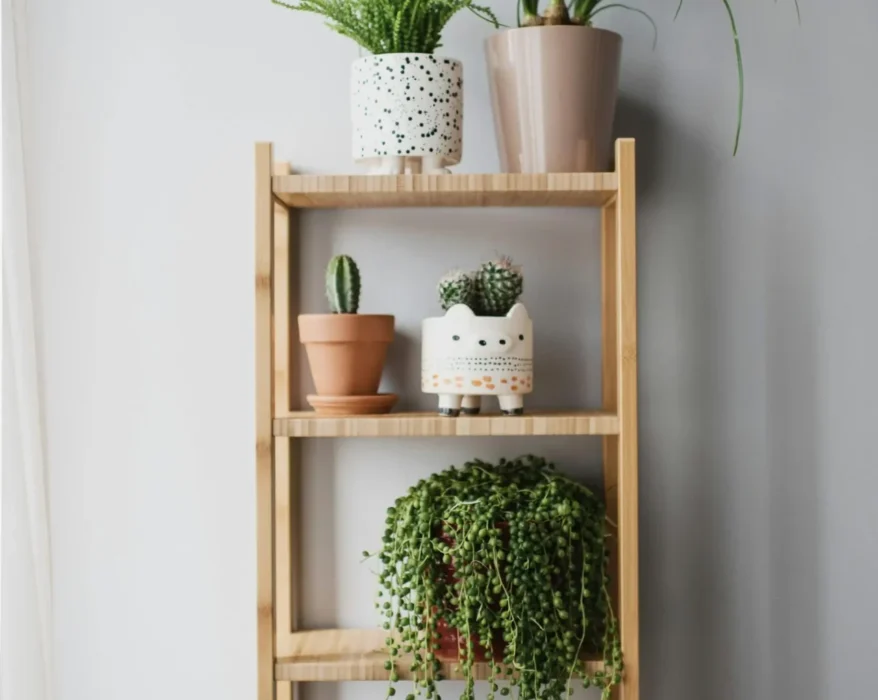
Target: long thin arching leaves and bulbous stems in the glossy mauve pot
column 584, row 11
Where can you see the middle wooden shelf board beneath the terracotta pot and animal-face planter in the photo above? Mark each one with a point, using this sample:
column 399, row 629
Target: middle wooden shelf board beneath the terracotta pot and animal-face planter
column 308, row 424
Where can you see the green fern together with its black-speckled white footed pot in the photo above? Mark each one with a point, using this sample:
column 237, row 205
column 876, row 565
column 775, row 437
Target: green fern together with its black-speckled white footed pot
column 406, row 102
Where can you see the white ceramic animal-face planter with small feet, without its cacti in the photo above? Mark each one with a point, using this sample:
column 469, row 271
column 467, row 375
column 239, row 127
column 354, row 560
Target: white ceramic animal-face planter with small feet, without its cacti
column 465, row 357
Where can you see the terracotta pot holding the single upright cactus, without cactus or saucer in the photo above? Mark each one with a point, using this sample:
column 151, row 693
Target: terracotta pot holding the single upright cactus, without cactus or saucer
column 346, row 352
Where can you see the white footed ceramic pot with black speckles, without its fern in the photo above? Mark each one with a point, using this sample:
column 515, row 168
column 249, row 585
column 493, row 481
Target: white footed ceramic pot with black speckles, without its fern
column 407, row 112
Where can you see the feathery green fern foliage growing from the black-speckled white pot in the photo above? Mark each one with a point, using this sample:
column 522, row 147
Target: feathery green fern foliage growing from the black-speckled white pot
column 391, row 26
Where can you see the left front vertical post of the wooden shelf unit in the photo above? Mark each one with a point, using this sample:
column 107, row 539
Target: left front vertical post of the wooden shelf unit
column 264, row 428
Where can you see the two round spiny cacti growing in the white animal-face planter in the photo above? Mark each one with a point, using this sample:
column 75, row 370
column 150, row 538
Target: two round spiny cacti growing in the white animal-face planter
column 492, row 290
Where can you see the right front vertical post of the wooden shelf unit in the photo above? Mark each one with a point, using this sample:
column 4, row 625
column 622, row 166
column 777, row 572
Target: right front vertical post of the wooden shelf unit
column 626, row 365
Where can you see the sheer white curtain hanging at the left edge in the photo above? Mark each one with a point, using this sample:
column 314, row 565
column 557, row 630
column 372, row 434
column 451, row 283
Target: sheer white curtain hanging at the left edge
column 26, row 604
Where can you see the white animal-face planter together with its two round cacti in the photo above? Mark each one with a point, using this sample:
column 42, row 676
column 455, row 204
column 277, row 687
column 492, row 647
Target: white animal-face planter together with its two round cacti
column 483, row 345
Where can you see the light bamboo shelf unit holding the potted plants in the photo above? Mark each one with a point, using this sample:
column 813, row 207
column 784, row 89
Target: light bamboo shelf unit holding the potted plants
column 285, row 655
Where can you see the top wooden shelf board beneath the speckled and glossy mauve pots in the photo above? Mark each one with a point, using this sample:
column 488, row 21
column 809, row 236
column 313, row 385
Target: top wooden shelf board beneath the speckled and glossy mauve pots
column 493, row 190
